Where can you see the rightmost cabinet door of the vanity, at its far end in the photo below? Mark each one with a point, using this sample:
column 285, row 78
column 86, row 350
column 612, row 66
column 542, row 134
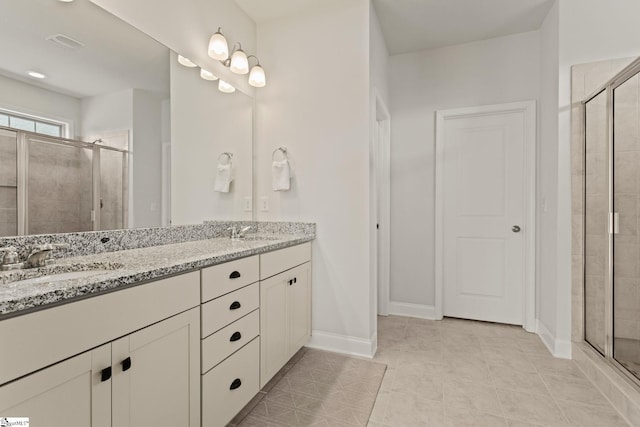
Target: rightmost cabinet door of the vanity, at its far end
column 299, row 307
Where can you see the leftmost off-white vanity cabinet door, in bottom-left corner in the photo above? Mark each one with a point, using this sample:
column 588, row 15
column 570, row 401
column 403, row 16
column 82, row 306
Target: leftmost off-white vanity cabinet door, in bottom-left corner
column 67, row 394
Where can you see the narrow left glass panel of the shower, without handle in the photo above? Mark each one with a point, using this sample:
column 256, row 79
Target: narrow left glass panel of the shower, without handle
column 596, row 233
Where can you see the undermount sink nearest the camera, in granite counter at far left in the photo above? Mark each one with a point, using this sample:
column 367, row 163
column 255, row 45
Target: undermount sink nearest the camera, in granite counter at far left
column 58, row 273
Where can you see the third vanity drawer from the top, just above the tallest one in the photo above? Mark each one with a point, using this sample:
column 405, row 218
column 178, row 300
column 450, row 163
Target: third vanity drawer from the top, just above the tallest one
column 219, row 346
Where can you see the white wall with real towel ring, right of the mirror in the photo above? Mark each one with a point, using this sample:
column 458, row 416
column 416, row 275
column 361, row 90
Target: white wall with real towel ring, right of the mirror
column 317, row 104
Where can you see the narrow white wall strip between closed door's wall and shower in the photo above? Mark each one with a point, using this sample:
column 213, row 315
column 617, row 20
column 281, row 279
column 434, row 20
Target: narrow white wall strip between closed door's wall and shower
column 547, row 211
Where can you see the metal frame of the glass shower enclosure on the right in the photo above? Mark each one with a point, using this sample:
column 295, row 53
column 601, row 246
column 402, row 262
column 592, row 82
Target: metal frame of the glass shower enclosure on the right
column 609, row 87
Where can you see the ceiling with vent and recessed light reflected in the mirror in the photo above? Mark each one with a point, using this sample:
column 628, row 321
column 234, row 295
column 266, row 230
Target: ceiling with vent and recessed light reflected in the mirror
column 115, row 55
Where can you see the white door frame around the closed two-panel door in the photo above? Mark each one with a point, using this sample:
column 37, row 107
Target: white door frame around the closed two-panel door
column 528, row 108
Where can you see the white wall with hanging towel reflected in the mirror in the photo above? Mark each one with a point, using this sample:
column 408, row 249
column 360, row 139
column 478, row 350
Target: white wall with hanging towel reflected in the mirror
column 205, row 123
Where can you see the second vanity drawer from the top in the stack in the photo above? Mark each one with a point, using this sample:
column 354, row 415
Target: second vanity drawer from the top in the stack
column 228, row 308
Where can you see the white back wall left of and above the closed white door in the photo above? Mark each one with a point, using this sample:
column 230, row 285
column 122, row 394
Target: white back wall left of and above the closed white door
column 494, row 71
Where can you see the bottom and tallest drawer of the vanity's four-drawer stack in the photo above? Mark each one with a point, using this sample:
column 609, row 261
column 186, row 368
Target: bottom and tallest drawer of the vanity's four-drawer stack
column 220, row 403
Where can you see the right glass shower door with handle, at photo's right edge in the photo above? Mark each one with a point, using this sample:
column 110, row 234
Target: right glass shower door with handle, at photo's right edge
column 626, row 245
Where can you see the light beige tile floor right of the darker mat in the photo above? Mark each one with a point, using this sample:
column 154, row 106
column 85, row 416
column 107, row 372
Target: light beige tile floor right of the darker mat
column 464, row 373
